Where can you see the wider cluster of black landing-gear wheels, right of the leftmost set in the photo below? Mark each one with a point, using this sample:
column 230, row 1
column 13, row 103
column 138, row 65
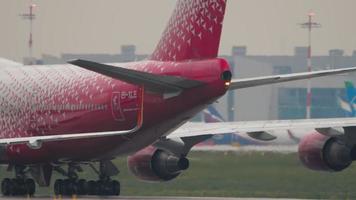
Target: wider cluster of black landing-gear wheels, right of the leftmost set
column 102, row 187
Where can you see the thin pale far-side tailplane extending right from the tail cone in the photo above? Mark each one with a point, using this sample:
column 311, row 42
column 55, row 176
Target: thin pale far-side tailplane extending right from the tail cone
column 265, row 80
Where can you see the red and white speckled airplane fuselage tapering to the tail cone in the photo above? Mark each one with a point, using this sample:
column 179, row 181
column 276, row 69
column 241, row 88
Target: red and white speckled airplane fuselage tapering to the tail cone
column 48, row 100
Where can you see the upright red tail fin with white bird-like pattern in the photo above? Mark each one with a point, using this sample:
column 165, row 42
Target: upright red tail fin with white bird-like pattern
column 193, row 32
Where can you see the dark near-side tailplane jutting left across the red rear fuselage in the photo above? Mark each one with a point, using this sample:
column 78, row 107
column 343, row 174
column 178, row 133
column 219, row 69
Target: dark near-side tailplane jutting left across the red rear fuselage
column 155, row 83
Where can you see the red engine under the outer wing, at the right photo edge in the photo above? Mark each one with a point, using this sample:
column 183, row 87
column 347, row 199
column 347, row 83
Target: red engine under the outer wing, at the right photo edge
column 324, row 153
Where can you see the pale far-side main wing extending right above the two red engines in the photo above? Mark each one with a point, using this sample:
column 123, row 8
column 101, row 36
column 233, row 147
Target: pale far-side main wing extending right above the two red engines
column 261, row 129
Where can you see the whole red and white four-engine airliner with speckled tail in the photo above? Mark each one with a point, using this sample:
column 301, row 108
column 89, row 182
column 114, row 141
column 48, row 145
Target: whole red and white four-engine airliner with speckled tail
column 61, row 117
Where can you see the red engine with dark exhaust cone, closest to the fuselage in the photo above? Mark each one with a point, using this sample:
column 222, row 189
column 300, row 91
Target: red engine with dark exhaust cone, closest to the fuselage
column 152, row 164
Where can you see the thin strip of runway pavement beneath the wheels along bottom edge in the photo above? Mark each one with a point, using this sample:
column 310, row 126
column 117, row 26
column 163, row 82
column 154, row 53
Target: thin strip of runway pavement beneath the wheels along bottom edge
column 142, row 198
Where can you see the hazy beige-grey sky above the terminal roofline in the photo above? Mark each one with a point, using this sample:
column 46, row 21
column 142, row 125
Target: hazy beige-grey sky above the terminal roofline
column 268, row 27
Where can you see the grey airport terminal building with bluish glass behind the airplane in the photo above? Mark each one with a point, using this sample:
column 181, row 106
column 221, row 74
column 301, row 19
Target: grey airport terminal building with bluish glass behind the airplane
column 279, row 101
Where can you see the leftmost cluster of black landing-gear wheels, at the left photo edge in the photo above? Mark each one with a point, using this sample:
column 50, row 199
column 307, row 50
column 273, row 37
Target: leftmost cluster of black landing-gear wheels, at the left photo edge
column 19, row 185
